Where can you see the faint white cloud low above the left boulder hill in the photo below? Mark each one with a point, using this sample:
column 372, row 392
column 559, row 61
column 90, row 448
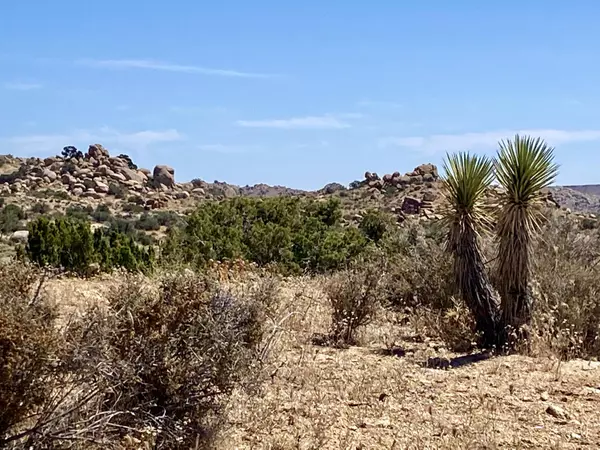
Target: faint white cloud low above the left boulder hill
column 39, row 144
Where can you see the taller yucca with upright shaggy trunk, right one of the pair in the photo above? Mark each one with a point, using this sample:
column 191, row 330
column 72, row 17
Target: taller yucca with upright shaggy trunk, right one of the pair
column 524, row 167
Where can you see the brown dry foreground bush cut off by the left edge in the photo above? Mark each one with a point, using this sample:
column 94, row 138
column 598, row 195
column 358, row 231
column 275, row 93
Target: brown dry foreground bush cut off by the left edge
column 29, row 353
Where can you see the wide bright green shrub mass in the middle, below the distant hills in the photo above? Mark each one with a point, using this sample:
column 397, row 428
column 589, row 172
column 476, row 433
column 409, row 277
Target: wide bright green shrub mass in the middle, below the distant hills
column 295, row 234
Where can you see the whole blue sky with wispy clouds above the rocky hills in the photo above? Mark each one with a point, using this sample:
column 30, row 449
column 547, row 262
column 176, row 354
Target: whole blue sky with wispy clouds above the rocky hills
column 300, row 93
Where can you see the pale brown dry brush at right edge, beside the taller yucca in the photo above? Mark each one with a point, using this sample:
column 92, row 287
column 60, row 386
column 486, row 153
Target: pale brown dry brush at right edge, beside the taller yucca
column 567, row 290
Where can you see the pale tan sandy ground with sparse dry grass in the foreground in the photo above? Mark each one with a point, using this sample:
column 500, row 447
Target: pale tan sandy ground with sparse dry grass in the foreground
column 317, row 397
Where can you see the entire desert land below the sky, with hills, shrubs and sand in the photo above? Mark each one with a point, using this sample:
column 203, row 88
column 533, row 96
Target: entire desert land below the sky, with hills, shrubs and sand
column 140, row 312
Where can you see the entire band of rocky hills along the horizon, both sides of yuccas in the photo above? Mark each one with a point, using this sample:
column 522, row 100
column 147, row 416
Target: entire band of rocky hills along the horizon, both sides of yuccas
column 97, row 178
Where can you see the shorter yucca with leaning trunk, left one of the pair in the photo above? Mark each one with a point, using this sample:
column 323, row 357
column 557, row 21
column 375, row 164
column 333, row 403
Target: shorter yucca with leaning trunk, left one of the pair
column 466, row 181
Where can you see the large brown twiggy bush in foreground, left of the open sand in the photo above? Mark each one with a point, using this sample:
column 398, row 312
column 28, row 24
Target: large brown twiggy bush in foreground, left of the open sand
column 164, row 362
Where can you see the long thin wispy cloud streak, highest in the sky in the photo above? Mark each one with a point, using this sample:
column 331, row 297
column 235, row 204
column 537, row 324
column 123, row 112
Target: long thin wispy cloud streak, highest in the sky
column 146, row 64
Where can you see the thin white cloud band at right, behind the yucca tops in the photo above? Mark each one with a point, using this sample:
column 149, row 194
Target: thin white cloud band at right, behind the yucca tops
column 485, row 140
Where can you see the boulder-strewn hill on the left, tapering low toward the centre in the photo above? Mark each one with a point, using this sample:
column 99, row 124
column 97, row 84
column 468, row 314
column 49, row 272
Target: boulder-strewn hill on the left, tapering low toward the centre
column 98, row 176
